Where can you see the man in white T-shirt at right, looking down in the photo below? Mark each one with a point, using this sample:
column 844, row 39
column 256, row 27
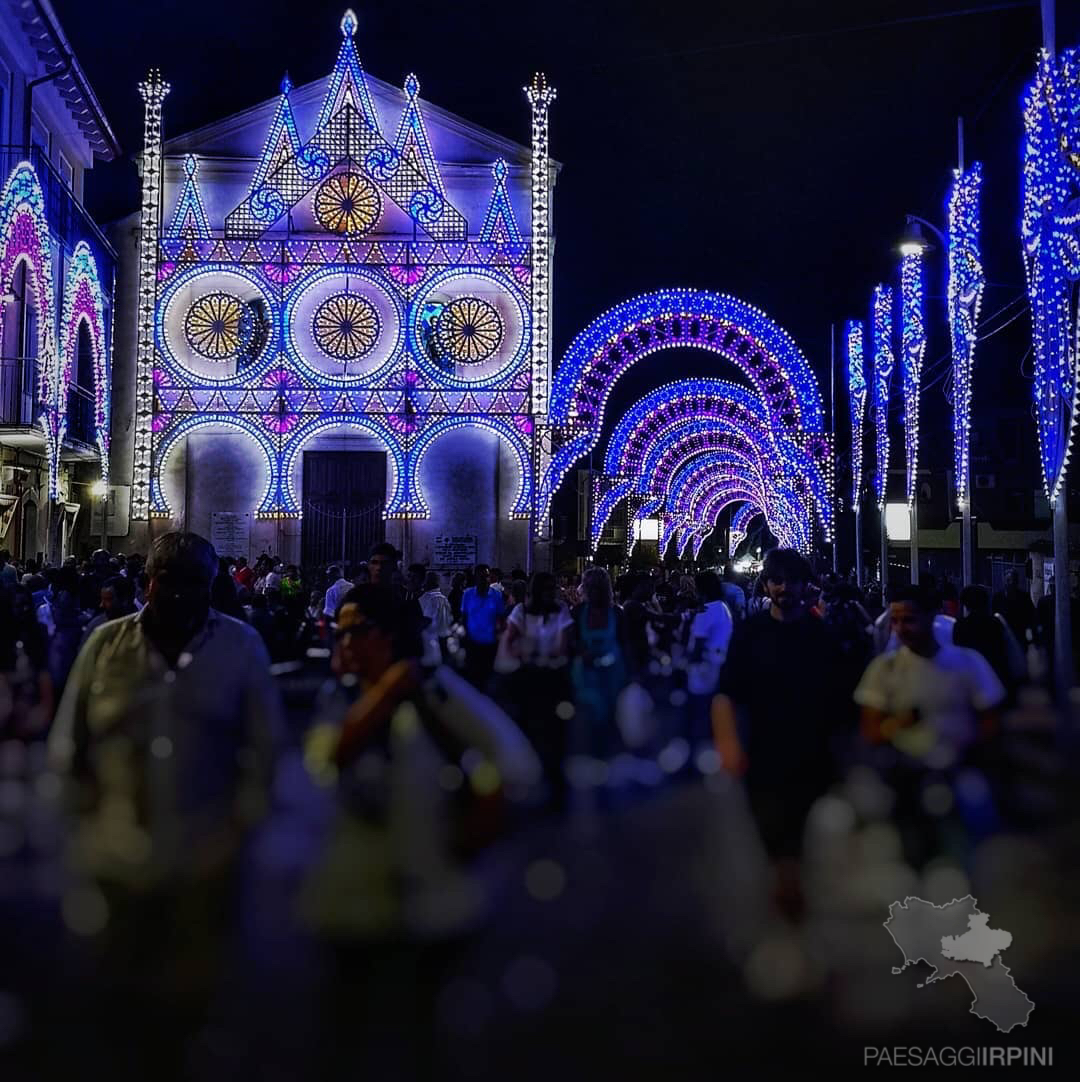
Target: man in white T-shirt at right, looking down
column 931, row 708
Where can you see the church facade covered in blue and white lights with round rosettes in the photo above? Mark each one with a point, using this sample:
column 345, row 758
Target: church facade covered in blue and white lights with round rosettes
column 335, row 324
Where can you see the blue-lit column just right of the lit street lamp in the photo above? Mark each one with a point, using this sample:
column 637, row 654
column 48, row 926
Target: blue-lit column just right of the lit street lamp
column 967, row 284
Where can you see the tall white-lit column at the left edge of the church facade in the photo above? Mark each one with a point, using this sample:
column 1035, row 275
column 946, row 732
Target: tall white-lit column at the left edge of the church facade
column 154, row 91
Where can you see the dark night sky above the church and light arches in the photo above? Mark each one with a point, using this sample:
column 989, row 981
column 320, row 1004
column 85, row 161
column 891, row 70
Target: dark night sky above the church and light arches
column 767, row 150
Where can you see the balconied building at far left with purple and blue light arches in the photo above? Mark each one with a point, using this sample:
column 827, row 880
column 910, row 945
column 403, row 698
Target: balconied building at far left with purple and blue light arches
column 58, row 275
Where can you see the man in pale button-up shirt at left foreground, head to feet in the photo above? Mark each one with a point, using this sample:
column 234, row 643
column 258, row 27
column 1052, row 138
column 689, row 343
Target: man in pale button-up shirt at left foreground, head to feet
column 166, row 733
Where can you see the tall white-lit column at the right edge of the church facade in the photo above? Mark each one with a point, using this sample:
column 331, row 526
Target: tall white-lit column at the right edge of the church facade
column 541, row 97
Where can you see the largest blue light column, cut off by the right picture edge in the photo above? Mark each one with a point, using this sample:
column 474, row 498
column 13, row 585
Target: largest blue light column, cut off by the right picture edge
column 1052, row 263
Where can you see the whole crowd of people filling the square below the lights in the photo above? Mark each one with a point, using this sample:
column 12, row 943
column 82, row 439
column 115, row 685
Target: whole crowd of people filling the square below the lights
column 450, row 710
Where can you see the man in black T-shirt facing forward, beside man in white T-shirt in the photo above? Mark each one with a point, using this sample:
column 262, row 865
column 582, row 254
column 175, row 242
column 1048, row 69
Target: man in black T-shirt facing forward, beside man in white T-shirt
column 775, row 719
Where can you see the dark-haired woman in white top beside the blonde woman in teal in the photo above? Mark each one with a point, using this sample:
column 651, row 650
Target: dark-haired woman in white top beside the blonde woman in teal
column 535, row 655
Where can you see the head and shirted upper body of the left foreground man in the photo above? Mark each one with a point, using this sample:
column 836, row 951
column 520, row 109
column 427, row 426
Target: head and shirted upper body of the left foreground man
column 177, row 700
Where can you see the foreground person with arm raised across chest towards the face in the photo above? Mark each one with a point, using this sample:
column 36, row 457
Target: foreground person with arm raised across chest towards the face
column 423, row 761
